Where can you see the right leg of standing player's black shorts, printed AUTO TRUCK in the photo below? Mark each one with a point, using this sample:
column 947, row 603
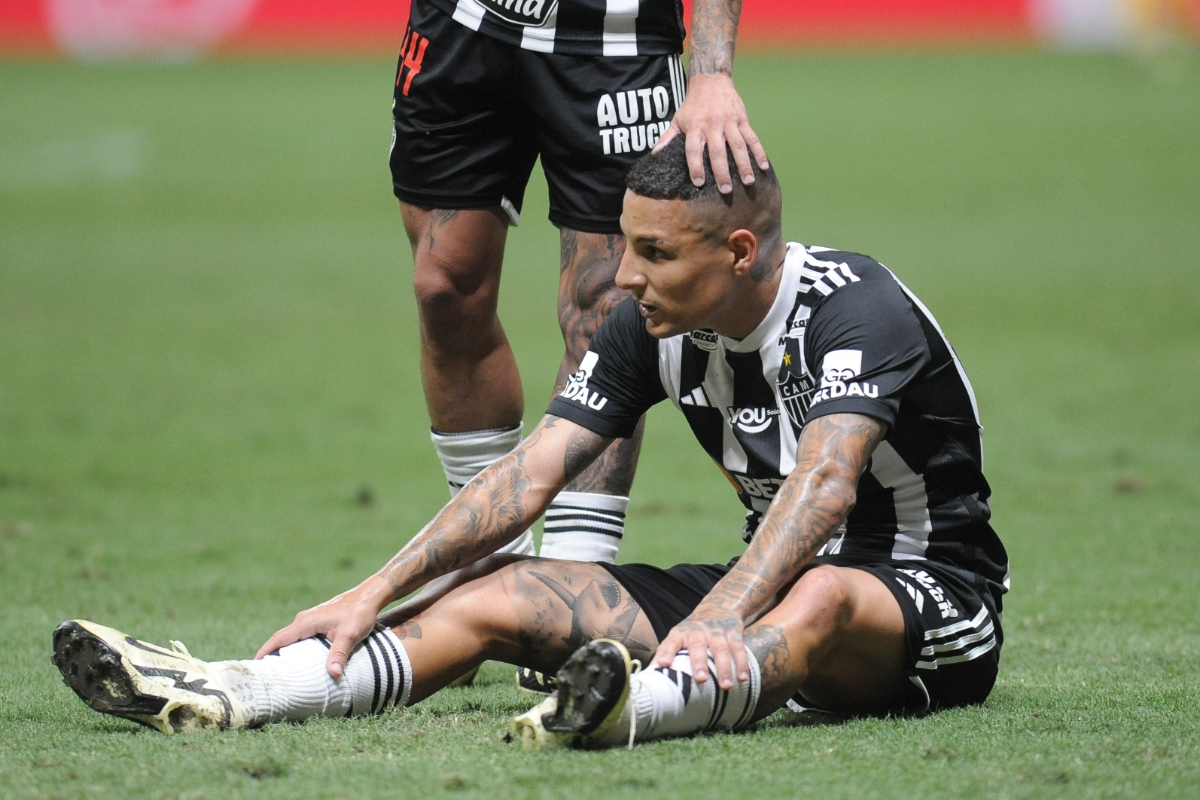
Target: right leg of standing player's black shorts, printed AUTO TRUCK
column 595, row 118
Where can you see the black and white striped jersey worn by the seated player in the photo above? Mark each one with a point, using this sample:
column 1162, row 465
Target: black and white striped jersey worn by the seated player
column 843, row 336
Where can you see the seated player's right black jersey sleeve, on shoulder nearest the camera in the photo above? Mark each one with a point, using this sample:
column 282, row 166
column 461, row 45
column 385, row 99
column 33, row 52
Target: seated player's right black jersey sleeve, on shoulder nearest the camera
column 865, row 347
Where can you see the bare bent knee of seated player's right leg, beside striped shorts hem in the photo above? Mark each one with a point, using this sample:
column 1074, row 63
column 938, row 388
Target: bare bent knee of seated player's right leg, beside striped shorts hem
column 837, row 637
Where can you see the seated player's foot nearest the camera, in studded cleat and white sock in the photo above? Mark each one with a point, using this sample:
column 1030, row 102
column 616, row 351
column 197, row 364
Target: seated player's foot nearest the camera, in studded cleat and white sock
column 603, row 702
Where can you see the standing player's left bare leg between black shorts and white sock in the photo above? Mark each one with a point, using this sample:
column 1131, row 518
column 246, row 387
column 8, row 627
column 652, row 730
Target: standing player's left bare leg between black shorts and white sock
column 467, row 368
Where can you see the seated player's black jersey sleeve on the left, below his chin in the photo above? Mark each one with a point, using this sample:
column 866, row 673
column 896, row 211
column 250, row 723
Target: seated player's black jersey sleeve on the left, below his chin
column 617, row 381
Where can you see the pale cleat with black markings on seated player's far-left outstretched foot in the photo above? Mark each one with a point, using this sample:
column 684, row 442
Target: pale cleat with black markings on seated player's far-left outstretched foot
column 166, row 690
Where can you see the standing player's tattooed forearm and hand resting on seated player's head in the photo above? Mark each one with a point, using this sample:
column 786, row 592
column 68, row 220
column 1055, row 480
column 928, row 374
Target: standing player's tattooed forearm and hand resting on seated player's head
column 713, row 113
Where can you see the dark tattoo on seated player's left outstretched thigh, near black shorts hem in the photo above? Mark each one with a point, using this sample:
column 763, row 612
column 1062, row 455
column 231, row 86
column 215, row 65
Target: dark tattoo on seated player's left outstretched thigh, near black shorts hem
column 568, row 617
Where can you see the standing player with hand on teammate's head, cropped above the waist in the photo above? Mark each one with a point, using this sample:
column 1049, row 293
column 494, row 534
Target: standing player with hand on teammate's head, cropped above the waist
column 484, row 88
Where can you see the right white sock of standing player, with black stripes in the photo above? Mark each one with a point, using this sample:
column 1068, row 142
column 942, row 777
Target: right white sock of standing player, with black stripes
column 584, row 527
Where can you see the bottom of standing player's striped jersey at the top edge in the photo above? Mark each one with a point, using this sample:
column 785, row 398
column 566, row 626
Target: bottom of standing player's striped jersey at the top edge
column 575, row 27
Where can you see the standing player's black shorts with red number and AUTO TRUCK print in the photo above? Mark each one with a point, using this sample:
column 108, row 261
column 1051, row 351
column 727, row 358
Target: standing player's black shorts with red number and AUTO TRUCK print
column 473, row 115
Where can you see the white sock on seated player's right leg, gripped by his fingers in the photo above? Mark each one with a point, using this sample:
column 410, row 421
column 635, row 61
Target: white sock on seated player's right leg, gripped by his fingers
column 668, row 702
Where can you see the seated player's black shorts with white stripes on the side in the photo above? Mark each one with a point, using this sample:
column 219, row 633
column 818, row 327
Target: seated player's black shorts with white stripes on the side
column 953, row 630
